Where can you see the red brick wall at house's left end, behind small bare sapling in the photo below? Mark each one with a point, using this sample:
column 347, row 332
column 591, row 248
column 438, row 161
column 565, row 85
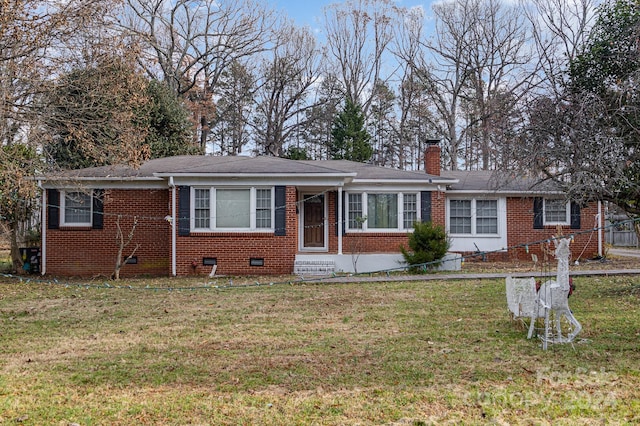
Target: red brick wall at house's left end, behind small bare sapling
column 92, row 252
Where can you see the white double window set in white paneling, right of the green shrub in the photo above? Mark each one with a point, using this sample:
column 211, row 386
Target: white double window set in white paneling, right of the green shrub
column 473, row 217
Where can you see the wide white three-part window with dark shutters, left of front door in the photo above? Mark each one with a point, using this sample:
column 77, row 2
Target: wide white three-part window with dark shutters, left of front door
column 232, row 209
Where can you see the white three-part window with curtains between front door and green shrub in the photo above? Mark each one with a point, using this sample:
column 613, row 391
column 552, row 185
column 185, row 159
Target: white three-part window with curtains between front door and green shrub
column 382, row 211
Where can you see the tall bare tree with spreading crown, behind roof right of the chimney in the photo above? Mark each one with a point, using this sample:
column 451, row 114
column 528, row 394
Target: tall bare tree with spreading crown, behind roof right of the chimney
column 502, row 70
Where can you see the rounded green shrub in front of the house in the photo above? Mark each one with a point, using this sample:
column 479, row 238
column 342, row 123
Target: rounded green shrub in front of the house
column 427, row 246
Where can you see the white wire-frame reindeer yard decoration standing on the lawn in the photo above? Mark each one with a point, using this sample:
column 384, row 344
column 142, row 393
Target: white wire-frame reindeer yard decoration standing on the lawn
column 551, row 300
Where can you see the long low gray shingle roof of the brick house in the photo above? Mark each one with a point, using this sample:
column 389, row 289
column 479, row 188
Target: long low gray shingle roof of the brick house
column 207, row 165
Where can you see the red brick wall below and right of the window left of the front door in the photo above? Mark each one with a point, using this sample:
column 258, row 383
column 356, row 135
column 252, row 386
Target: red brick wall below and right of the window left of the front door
column 233, row 250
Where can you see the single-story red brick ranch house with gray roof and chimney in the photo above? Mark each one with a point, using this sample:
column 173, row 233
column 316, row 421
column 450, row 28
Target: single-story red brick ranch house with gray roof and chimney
column 267, row 215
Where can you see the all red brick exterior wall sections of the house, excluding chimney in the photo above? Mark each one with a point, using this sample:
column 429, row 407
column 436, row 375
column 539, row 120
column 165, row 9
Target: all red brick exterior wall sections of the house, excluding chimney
column 87, row 252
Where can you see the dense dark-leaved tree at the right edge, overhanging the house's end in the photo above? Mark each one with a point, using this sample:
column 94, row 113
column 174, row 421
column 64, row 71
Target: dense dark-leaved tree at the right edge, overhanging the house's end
column 584, row 134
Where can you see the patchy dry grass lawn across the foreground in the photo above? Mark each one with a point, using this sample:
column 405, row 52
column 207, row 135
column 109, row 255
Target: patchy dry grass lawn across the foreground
column 399, row 353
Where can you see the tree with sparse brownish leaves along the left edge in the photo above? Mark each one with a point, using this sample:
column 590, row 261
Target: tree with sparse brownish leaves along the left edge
column 33, row 36
